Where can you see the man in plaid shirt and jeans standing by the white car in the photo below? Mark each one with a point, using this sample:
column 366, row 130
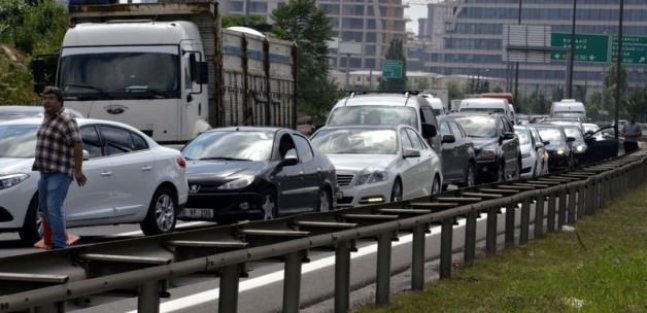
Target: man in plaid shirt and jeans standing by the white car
column 59, row 157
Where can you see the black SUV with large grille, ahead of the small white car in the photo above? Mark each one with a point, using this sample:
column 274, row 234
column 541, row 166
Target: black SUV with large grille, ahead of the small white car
column 498, row 156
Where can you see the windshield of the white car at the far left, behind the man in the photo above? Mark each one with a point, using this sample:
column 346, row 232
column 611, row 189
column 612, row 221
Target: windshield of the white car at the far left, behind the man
column 18, row 141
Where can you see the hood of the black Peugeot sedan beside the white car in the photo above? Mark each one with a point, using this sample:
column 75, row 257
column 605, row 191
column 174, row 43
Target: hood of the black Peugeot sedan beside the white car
column 221, row 169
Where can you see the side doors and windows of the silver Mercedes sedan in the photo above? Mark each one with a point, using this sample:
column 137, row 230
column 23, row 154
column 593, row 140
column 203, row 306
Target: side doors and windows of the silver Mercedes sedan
column 422, row 168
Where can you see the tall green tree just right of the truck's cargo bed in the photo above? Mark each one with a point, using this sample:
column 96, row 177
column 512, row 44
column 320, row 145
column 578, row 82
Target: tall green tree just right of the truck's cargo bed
column 308, row 26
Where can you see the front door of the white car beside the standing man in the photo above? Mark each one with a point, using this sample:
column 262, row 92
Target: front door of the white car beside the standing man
column 93, row 201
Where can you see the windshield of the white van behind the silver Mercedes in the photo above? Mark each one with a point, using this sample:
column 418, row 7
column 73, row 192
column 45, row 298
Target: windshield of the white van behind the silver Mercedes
column 373, row 115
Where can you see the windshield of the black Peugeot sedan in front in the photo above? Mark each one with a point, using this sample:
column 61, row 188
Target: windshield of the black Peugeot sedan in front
column 231, row 145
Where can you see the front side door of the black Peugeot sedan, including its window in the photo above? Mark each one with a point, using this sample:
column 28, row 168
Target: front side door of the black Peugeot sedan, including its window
column 289, row 178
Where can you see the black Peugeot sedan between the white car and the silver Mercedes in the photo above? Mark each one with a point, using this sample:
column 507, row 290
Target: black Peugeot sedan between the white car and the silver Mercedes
column 257, row 173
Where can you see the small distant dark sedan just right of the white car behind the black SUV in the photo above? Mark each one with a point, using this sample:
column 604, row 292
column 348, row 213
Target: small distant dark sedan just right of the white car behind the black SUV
column 560, row 152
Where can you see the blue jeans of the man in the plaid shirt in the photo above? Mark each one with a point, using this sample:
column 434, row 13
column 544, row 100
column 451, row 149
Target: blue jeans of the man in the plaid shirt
column 52, row 190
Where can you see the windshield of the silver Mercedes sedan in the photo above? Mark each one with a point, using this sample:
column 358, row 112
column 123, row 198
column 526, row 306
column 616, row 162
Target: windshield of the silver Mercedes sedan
column 356, row 141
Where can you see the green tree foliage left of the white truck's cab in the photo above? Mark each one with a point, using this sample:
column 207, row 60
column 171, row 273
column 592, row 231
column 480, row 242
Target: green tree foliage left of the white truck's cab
column 27, row 29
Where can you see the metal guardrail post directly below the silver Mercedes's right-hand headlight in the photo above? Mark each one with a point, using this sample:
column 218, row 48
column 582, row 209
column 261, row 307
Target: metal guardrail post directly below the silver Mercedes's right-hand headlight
column 383, row 280
